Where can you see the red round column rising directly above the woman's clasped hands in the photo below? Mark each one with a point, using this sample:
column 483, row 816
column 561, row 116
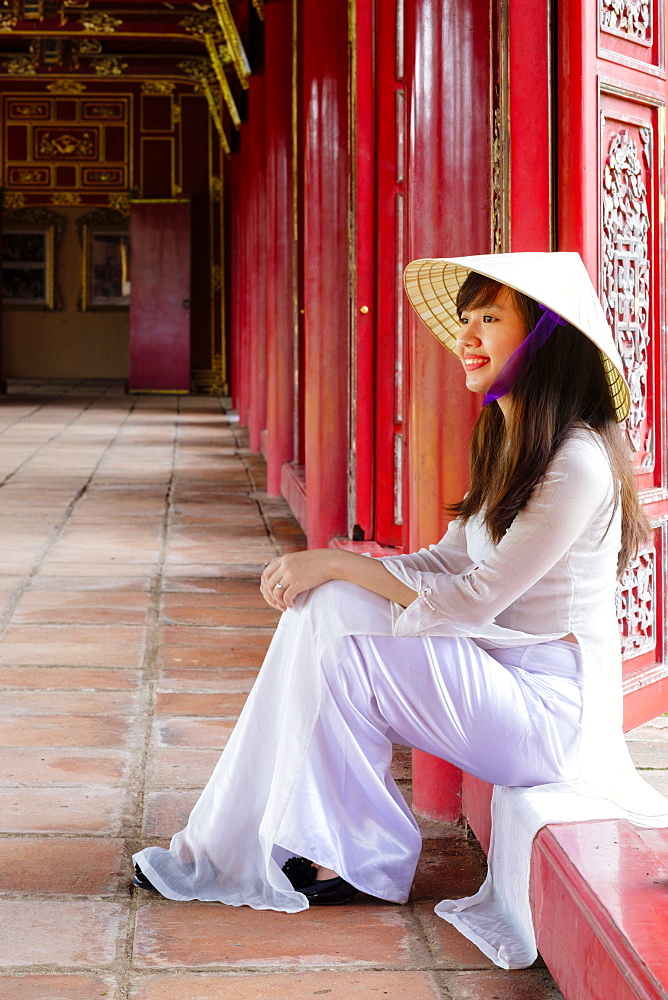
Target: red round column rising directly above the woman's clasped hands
column 326, row 296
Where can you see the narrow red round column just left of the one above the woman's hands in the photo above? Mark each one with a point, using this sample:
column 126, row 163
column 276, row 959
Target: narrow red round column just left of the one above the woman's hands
column 280, row 305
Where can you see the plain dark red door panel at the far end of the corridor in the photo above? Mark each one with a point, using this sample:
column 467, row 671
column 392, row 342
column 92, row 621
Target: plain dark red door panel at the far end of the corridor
column 160, row 296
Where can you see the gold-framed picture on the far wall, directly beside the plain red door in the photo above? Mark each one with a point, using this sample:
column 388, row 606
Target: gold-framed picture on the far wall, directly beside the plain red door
column 105, row 282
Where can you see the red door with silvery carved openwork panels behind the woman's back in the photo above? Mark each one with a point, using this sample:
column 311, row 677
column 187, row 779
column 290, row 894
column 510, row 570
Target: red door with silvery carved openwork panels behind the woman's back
column 611, row 207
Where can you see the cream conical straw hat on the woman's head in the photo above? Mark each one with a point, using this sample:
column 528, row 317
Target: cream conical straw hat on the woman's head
column 557, row 280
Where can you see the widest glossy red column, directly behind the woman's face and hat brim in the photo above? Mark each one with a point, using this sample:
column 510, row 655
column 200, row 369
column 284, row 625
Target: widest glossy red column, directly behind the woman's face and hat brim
column 448, row 212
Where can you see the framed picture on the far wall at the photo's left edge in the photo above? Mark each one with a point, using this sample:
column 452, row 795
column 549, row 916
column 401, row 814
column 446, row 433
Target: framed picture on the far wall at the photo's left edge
column 28, row 268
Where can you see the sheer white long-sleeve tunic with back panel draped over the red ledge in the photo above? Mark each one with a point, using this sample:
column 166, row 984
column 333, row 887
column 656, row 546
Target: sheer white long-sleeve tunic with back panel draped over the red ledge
column 553, row 573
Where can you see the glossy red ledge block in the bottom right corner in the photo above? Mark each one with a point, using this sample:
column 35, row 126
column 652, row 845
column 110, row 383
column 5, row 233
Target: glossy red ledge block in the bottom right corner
column 599, row 896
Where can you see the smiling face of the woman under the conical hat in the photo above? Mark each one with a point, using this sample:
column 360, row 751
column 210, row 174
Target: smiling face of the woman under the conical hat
column 490, row 333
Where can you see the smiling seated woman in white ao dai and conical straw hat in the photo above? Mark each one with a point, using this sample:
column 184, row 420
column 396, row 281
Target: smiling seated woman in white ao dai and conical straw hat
column 497, row 649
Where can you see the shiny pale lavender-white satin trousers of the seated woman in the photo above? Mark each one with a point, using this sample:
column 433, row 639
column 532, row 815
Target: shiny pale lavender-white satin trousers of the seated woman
column 510, row 717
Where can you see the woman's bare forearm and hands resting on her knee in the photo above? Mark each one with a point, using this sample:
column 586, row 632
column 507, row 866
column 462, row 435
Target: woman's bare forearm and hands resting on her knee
column 299, row 571
